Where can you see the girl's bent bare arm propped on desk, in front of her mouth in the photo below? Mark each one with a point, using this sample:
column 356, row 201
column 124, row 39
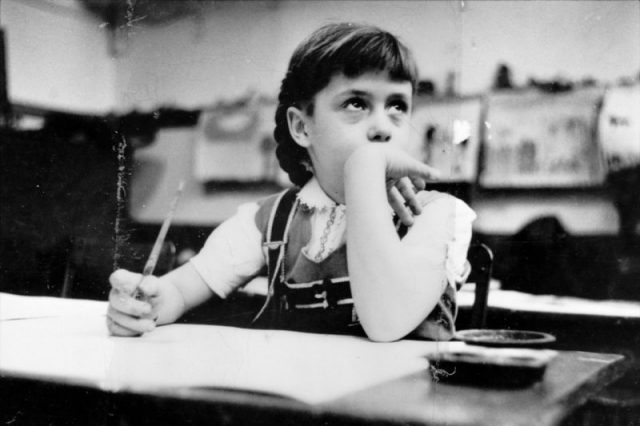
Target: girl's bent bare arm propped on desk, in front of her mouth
column 394, row 286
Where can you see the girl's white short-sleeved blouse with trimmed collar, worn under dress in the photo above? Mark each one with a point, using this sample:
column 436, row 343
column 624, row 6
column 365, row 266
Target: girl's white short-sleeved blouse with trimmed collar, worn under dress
column 233, row 254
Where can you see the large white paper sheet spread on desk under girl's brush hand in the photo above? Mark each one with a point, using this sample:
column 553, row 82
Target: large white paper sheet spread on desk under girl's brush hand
column 75, row 347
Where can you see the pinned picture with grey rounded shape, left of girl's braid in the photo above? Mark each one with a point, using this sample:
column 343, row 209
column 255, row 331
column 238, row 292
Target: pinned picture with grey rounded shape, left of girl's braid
column 234, row 144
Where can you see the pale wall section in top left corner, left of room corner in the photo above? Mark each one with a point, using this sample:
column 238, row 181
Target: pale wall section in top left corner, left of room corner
column 57, row 56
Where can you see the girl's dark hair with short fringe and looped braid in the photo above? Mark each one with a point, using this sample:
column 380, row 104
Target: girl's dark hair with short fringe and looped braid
column 343, row 48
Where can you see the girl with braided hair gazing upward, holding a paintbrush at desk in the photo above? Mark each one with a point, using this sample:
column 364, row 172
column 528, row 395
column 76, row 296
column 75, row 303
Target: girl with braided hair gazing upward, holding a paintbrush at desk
column 337, row 259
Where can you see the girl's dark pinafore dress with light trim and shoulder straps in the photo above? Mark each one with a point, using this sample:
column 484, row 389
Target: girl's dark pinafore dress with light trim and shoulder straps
column 313, row 296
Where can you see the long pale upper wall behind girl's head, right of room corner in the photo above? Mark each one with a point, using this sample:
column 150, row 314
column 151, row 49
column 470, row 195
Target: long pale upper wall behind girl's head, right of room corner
column 234, row 47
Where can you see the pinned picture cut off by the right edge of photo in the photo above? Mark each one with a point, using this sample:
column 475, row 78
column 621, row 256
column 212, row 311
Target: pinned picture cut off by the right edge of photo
column 619, row 127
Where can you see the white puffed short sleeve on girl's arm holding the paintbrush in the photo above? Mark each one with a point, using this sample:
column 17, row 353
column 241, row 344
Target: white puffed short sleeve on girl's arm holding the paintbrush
column 232, row 254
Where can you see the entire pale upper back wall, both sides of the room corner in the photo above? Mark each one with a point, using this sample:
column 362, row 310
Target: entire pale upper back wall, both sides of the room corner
column 61, row 57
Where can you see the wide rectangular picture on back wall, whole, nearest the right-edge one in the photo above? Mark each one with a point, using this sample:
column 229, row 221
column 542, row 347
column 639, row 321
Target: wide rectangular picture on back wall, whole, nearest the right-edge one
column 536, row 139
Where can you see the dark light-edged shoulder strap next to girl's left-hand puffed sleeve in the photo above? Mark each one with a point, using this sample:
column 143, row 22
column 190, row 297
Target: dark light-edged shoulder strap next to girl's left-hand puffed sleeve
column 276, row 239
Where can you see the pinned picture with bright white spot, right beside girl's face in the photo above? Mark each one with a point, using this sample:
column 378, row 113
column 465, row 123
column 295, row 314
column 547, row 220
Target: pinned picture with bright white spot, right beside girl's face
column 445, row 134
